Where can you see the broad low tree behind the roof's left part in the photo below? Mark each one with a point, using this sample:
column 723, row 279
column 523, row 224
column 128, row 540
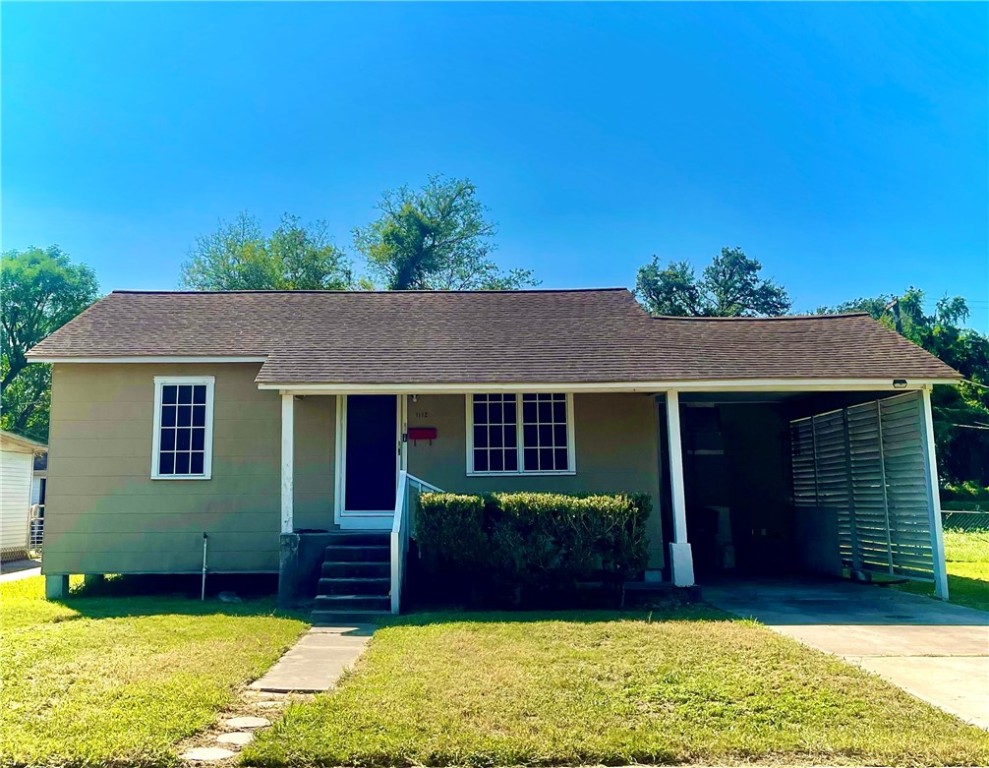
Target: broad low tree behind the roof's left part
column 239, row 256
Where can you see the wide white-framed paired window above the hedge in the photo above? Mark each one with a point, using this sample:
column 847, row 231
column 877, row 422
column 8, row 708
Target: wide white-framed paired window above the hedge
column 520, row 433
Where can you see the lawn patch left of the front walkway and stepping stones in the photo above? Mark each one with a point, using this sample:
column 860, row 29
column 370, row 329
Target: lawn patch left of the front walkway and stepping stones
column 118, row 680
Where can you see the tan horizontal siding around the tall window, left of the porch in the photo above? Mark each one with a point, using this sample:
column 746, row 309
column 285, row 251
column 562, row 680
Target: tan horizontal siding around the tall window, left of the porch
column 104, row 514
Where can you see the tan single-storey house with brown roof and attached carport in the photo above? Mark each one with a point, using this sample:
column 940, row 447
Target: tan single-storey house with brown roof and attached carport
column 297, row 427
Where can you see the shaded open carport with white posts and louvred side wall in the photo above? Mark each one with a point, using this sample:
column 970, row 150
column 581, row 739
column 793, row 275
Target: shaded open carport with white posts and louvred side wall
column 791, row 481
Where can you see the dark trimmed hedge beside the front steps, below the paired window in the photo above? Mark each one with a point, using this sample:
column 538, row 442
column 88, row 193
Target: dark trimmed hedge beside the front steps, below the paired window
column 529, row 547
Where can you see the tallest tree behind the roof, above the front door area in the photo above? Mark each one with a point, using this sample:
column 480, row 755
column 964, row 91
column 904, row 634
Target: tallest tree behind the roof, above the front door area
column 435, row 238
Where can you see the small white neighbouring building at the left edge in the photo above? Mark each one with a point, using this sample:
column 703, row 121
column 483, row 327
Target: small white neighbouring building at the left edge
column 17, row 460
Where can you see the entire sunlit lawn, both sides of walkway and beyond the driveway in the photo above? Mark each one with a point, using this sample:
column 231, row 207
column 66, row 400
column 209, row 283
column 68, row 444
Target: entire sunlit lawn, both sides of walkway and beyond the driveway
column 117, row 680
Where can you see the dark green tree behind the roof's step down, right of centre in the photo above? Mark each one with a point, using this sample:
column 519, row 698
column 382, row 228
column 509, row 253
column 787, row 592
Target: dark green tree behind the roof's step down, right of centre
column 730, row 286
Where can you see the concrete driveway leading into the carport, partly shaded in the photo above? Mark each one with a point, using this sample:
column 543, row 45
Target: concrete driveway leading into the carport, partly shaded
column 935, row 651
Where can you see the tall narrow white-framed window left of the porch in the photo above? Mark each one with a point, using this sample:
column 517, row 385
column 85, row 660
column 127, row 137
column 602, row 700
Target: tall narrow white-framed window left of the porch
column 183, row 428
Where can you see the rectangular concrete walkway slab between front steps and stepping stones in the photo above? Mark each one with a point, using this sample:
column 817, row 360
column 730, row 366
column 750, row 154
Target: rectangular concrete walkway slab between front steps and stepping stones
column 316, row 661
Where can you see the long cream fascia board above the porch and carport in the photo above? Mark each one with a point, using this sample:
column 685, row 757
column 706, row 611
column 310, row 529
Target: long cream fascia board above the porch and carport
column 729, row 385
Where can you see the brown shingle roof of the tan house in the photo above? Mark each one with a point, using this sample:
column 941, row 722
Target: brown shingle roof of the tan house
column 482, row 338
